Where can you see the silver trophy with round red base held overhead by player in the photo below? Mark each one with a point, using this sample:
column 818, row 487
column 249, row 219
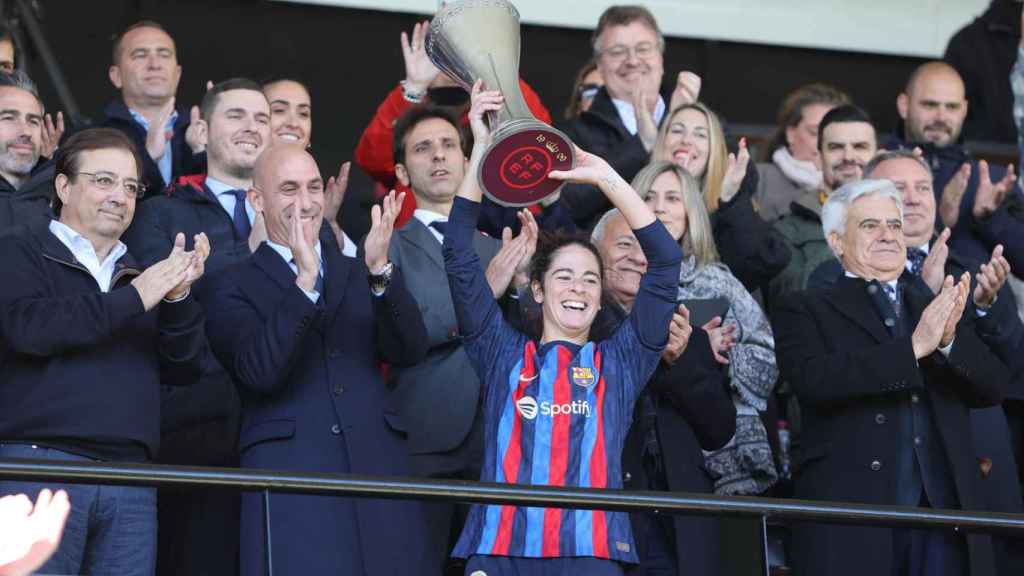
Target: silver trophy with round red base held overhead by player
column 480, row 39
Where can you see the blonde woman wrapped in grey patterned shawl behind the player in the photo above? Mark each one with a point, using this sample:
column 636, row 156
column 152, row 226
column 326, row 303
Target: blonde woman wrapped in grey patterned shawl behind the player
column 745, row 466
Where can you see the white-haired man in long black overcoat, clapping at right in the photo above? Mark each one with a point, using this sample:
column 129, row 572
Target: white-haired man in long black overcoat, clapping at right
column 885, row 374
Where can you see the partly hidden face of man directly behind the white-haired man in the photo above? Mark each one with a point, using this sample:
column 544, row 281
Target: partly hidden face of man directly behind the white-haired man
column 915, row 185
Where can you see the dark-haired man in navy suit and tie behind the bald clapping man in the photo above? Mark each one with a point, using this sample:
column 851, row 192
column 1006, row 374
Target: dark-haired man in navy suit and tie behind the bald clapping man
column 201, row 423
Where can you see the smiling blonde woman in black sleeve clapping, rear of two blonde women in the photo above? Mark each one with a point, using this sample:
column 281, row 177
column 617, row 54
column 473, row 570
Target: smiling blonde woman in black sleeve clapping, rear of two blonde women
column 692, row 138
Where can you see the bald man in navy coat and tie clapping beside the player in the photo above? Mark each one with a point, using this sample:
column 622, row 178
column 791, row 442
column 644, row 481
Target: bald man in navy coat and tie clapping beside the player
column 303, row 330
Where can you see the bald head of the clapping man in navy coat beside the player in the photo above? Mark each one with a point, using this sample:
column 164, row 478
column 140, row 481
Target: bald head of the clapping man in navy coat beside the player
column 288, row 185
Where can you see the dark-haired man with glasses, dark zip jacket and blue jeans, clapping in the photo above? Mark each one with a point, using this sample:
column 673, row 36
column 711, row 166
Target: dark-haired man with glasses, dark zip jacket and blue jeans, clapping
column 87, row 338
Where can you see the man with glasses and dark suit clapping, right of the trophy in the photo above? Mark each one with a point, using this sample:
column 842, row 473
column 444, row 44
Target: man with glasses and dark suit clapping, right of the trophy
column 622, row 122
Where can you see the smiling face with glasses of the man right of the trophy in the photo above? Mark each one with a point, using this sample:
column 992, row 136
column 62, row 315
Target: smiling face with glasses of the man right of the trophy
column 630, row 57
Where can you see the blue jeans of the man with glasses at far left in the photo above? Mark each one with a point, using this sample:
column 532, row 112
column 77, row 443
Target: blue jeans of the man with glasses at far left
column 111, row 529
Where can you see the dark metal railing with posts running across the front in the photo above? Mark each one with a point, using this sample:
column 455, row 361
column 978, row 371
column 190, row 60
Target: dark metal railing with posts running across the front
column 269, row 482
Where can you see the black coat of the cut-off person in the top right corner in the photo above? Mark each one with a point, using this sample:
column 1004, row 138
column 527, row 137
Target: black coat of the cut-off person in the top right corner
column 985, row 53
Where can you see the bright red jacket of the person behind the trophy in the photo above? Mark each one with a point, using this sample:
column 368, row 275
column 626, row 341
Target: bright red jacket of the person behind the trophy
column 373, row 154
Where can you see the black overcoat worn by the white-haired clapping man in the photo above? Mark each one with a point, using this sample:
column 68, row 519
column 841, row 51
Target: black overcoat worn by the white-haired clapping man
column 851, row 379
